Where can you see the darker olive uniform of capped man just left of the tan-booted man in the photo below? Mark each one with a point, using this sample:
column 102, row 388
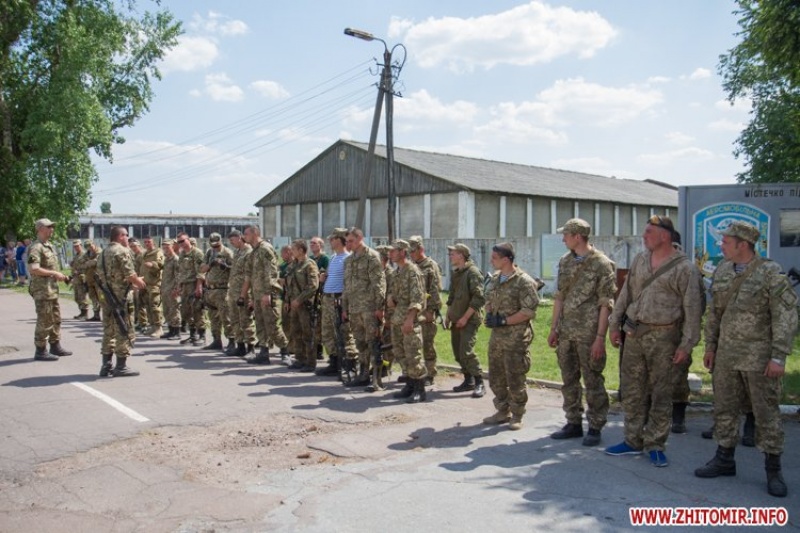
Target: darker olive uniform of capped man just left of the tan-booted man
column 466, row 291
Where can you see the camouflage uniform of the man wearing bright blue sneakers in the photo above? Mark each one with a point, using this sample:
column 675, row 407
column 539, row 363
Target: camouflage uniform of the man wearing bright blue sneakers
column 668, row 314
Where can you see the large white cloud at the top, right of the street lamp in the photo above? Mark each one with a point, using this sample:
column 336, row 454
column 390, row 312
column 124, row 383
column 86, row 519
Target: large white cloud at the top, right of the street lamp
column 529, row 34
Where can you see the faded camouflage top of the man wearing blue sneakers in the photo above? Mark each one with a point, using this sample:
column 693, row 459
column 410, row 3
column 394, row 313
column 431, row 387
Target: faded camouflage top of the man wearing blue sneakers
column 673, row 298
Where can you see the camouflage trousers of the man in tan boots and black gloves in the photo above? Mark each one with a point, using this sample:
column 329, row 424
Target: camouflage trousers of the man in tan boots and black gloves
column 509, row 362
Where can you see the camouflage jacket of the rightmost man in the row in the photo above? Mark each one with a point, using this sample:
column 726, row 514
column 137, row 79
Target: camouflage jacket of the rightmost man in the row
column 759, row 321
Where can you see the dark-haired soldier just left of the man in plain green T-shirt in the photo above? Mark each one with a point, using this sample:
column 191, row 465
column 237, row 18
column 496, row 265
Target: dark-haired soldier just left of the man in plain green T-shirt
column 302, row 282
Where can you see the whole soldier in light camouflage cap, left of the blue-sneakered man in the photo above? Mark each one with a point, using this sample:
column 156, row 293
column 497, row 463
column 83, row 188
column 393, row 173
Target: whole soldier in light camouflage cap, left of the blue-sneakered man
column 582, row 304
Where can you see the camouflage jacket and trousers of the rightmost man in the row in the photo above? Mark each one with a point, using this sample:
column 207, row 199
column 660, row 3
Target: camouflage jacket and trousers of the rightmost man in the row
column 758, row 324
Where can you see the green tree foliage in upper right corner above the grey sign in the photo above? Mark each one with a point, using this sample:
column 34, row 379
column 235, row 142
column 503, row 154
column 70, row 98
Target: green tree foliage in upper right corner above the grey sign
column 765, row 68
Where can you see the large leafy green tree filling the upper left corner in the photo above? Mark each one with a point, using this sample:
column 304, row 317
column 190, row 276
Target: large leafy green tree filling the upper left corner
column 73, row 74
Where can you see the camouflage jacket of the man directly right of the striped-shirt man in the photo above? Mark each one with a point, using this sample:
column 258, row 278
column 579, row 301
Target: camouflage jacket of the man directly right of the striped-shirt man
column 364, row 282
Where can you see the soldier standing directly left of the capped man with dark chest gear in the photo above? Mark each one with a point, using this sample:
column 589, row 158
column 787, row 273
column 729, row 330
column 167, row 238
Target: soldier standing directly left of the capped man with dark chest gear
column 190, row 290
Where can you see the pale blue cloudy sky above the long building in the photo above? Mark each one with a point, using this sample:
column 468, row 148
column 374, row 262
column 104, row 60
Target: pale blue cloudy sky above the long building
column 255, row 90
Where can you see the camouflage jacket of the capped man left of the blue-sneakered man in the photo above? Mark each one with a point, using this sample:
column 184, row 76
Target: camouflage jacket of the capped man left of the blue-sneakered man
column 584, row 287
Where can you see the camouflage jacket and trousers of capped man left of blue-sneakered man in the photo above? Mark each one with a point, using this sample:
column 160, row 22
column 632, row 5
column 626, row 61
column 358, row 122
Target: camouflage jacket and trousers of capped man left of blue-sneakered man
column 585, row 285
